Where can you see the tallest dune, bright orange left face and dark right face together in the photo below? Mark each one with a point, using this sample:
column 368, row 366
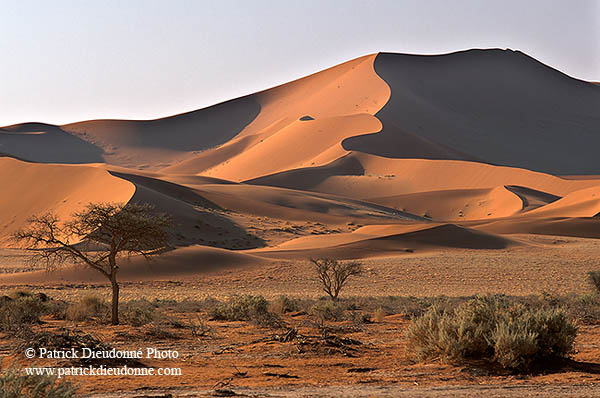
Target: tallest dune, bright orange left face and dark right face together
column 494, row 108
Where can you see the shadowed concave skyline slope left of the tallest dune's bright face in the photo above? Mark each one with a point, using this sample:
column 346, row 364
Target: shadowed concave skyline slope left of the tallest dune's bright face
column 158, row 143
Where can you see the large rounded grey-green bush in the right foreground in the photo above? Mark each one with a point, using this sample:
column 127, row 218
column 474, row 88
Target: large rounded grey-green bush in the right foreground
column 491, row 328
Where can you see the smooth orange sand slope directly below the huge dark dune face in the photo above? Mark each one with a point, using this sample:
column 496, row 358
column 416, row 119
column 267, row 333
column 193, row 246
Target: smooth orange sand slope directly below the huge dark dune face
column 362, row 176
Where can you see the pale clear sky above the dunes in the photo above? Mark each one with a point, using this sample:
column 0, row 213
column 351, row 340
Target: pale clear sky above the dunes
column 67, row 61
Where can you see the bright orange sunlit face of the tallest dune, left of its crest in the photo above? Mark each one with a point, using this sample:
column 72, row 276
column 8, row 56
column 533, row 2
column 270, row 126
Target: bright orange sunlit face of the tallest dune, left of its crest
column 301, row 123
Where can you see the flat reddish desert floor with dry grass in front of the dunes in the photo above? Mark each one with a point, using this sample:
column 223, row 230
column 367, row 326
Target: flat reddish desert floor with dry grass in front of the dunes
column 250, row 360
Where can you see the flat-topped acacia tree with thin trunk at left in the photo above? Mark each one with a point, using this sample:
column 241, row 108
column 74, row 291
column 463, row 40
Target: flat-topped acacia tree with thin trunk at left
column 98, row 237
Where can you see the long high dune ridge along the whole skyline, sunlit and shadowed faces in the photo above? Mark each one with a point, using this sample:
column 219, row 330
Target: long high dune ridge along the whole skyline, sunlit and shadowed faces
column 493, row 106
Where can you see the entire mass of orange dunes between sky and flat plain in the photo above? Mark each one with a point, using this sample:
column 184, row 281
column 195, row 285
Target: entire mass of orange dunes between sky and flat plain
column 383, row 154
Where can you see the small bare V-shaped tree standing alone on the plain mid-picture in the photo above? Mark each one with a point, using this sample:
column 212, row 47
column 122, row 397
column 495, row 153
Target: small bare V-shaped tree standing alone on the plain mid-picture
column 334, row 274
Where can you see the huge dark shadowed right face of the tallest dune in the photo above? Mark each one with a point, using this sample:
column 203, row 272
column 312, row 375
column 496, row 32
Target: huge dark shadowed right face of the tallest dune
column 498, row 106
